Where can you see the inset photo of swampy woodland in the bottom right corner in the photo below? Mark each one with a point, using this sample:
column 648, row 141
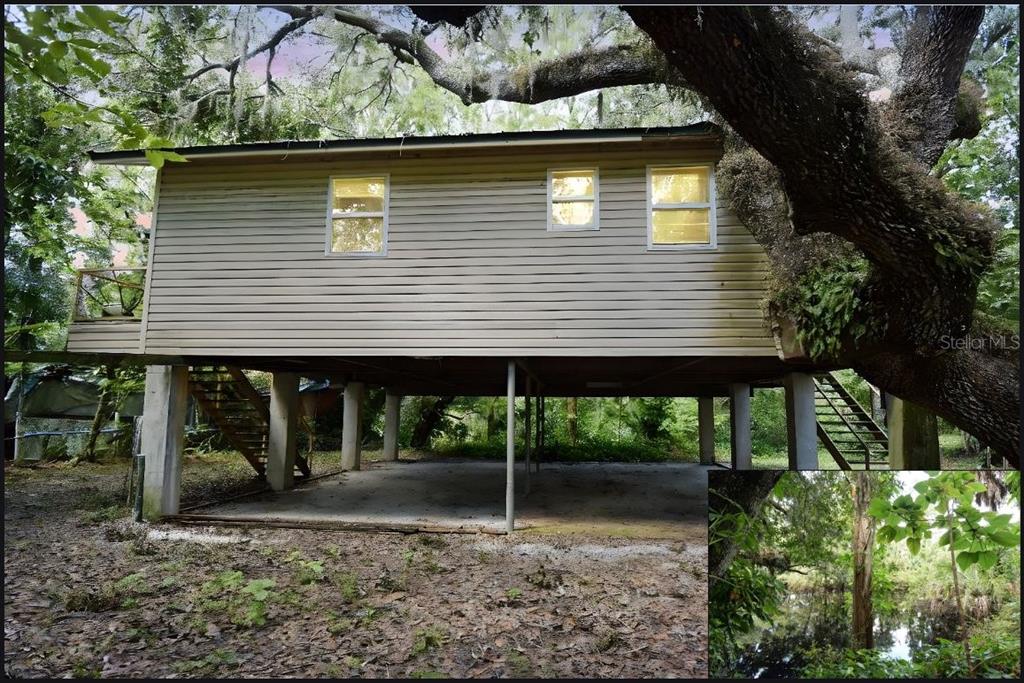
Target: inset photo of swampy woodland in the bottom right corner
column 865, row 575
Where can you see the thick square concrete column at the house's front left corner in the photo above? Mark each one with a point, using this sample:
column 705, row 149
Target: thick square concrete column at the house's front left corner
column 164, row 407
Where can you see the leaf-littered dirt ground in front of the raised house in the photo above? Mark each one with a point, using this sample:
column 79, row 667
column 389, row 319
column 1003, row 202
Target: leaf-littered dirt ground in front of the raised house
column 88, row 593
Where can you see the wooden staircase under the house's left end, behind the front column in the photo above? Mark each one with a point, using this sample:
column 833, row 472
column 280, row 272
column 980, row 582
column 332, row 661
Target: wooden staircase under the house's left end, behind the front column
column 234, row 405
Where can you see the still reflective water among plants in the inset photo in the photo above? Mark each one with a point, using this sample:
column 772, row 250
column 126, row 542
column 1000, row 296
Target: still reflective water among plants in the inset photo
column 823, row 620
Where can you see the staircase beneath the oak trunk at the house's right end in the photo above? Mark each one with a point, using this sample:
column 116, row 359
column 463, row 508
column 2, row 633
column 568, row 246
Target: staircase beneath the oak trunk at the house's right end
column 846, row 430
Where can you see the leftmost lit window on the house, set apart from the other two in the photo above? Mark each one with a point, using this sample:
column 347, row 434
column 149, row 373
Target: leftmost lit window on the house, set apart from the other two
column 358, row 217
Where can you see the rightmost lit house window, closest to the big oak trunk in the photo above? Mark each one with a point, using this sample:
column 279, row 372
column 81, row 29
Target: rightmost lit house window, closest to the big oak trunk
column 681, row 207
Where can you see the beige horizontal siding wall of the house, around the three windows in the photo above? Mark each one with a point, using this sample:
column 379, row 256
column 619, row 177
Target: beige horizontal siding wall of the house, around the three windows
column 239, row 264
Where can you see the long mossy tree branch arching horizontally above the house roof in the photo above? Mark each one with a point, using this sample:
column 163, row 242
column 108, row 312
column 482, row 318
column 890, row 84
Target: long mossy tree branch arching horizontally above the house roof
column 590, row 69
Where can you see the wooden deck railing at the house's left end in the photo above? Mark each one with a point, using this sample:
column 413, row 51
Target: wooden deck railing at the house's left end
column 109, row 294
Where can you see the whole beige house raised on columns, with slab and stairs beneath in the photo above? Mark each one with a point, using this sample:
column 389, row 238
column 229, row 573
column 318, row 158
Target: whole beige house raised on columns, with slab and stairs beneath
column 531, row 266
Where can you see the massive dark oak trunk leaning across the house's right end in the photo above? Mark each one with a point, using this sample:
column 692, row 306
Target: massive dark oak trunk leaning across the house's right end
column 861, row 173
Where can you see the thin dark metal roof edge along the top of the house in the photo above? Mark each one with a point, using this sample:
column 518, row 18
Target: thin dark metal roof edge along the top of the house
column 284, row 149
